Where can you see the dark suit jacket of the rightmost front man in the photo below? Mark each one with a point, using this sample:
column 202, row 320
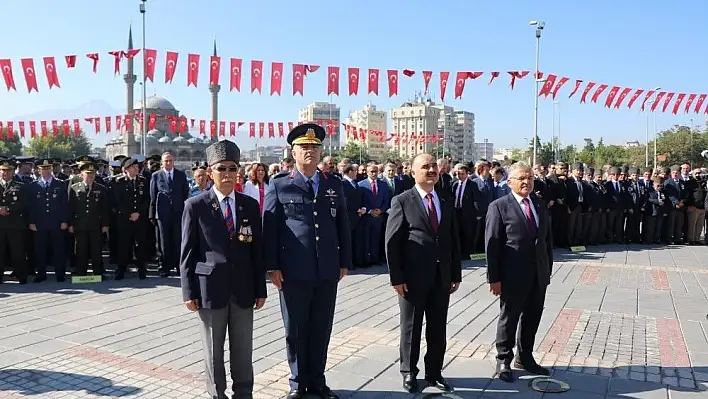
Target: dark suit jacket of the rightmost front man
column 514, row 254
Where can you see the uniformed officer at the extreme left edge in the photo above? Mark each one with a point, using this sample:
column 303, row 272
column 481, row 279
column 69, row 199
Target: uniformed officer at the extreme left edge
column 13, row 222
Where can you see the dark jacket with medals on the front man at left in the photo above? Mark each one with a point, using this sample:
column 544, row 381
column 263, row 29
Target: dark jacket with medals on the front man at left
column 215, row 266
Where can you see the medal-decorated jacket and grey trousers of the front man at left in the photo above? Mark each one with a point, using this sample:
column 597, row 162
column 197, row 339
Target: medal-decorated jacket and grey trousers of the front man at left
column 226, row 274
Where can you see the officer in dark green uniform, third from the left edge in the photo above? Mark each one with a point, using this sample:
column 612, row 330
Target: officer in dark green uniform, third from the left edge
column 88, row 219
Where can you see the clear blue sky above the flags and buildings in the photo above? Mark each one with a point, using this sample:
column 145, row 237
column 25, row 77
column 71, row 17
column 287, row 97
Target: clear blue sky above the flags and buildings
column 631, row 43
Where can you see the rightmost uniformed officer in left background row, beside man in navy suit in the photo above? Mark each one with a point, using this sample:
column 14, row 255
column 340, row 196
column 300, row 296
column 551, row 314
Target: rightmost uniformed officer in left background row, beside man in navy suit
column 131, row 199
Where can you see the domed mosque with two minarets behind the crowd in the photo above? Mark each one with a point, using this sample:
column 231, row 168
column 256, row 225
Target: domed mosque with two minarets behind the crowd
column 187, row 147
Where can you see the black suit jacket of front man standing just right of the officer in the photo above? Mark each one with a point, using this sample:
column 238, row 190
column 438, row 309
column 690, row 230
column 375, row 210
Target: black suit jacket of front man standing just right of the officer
column 415, row 253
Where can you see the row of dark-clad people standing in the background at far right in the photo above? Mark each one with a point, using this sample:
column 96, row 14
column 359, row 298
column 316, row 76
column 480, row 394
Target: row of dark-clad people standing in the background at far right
column 623, row 204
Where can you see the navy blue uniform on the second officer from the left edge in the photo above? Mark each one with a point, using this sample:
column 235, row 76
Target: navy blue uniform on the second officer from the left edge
column 48, row 209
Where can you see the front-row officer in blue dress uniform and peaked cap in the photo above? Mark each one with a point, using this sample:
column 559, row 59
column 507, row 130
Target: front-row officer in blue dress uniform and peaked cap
column 307, row 252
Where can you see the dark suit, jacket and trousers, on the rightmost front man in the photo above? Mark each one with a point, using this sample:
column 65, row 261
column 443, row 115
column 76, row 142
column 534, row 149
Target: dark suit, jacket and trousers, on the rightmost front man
column 522, row 260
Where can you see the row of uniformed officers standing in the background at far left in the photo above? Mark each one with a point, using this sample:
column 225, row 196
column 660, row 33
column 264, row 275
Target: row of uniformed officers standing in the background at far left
column 49, row 217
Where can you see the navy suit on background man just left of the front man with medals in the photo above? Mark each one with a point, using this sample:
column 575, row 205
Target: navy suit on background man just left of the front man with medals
column 166, row 205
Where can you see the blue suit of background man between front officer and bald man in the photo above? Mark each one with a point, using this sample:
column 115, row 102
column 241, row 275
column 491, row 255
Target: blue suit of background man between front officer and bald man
column 375, row 224
